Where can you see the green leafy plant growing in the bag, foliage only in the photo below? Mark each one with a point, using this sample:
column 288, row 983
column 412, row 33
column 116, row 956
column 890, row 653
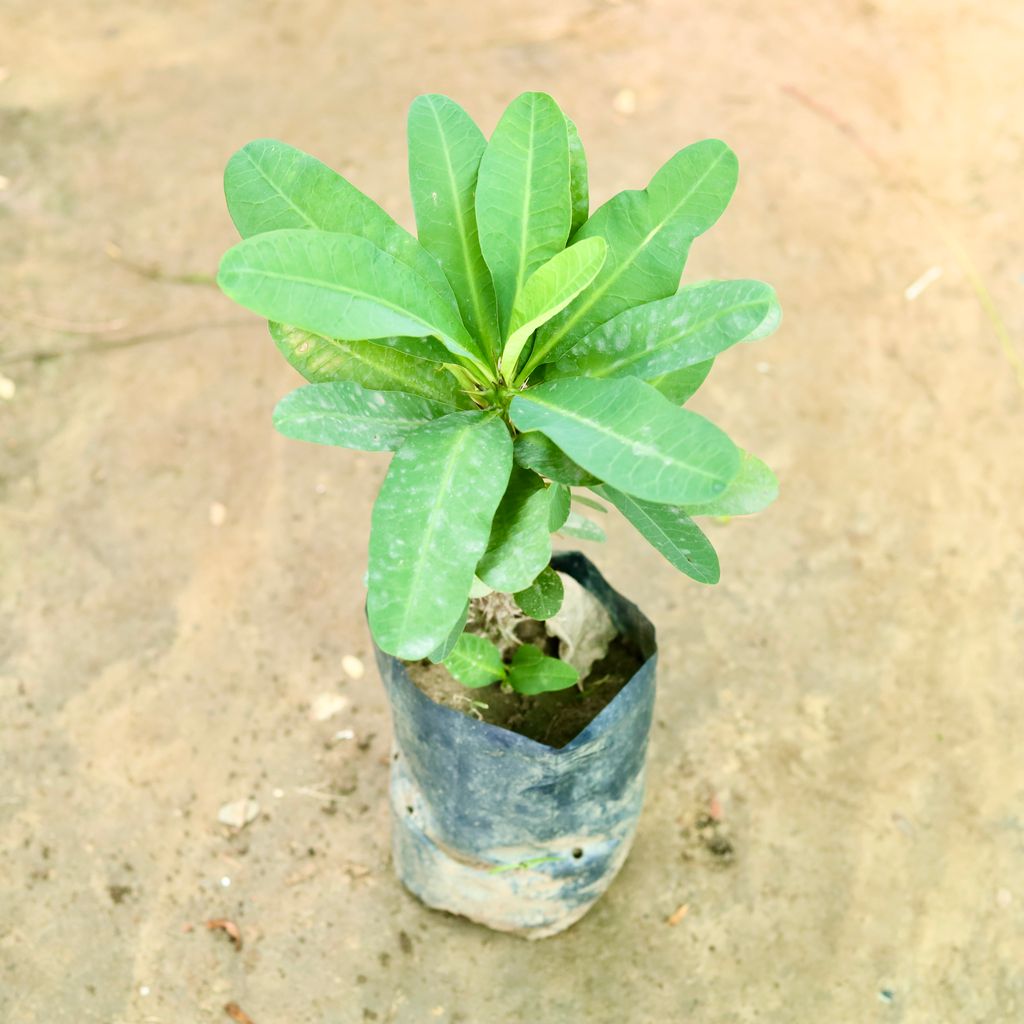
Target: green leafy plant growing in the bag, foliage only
column 519, row 350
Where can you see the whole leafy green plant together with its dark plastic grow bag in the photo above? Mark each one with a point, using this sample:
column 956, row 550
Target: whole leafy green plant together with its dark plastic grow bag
column 517, row 355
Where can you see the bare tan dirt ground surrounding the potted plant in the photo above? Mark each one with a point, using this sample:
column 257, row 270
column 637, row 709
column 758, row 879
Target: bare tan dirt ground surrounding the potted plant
column 836, row 790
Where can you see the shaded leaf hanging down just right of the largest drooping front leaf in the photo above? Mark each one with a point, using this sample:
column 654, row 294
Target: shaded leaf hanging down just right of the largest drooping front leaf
column 521, row 541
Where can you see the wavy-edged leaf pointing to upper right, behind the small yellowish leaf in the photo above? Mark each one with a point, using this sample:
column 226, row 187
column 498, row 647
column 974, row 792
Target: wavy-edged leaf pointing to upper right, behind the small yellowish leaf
column 649, row 235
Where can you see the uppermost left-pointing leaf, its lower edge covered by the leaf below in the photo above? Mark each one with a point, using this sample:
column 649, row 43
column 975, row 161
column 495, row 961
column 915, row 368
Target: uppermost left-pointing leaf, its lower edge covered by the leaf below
column 271, row 186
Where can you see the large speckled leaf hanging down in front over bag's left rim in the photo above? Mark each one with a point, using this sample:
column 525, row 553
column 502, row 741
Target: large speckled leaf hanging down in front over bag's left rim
column 431, row 526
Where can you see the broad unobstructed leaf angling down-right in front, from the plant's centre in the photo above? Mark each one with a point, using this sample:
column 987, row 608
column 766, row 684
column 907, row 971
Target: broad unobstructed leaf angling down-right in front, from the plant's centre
column 631, row 437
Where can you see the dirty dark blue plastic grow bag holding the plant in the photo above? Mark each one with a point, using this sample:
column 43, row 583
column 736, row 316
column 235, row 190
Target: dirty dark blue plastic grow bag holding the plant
column 506, row 831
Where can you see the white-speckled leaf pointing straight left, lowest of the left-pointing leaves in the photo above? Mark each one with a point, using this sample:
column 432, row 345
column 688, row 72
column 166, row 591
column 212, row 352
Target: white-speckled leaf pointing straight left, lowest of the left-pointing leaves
column 344, row 413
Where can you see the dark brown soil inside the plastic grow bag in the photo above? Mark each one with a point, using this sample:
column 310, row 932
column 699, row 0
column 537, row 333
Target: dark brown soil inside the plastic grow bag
column 549, row 718
